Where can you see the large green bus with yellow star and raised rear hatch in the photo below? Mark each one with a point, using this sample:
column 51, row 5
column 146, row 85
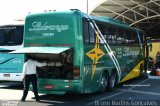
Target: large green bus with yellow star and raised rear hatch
column 86, row 54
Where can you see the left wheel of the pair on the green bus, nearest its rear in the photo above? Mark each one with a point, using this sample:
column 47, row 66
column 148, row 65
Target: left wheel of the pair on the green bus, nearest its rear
column 104, row 83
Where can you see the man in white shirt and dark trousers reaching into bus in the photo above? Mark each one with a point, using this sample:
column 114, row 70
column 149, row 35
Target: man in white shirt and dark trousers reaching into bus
column 30, row 76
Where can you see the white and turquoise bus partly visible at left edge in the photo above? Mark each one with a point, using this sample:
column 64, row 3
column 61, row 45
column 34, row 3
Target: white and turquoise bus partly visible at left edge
column 11, row 38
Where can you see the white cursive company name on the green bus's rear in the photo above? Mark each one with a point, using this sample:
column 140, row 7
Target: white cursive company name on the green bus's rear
column 40, row 26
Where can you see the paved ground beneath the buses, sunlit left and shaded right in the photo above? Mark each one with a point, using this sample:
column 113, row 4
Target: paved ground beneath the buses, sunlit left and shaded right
column 137, row 92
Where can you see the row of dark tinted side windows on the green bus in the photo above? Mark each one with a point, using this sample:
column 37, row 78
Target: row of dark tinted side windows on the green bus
column 112, row 34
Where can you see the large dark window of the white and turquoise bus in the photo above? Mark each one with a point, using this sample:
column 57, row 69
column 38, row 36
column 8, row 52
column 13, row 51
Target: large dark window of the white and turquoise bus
column 11, row 35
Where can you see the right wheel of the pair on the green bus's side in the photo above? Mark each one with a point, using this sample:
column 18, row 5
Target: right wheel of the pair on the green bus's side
column 112, row 81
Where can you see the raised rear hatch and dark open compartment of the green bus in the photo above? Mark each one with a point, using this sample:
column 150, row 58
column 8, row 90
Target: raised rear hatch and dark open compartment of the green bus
column 60, row 59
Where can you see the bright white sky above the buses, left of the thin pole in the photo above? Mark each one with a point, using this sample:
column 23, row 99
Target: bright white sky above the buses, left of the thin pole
column 16, row 9
